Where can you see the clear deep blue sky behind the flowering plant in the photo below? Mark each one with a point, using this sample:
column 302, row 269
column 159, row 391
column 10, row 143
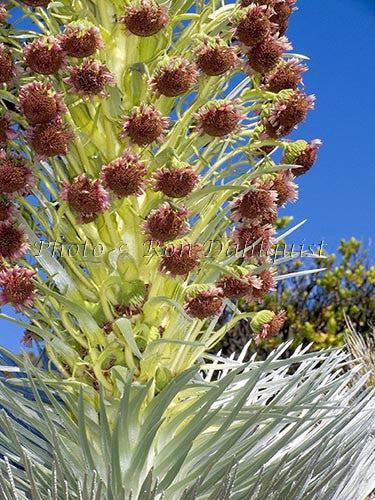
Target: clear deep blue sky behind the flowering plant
column 336, row 196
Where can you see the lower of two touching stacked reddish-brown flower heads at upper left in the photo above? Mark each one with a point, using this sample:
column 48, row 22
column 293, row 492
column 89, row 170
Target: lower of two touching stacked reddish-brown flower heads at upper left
column 50, row 139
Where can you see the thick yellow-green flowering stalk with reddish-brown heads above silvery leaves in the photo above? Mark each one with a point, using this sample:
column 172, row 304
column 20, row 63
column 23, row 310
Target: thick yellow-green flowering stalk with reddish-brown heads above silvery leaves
column 141, row 178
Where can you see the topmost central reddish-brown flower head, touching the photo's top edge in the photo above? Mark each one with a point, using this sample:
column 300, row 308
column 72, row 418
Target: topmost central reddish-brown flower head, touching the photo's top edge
column 145, row 18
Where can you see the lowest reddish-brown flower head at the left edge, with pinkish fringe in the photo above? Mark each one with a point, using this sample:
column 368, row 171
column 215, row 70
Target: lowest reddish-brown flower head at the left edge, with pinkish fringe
column 17, row 287
